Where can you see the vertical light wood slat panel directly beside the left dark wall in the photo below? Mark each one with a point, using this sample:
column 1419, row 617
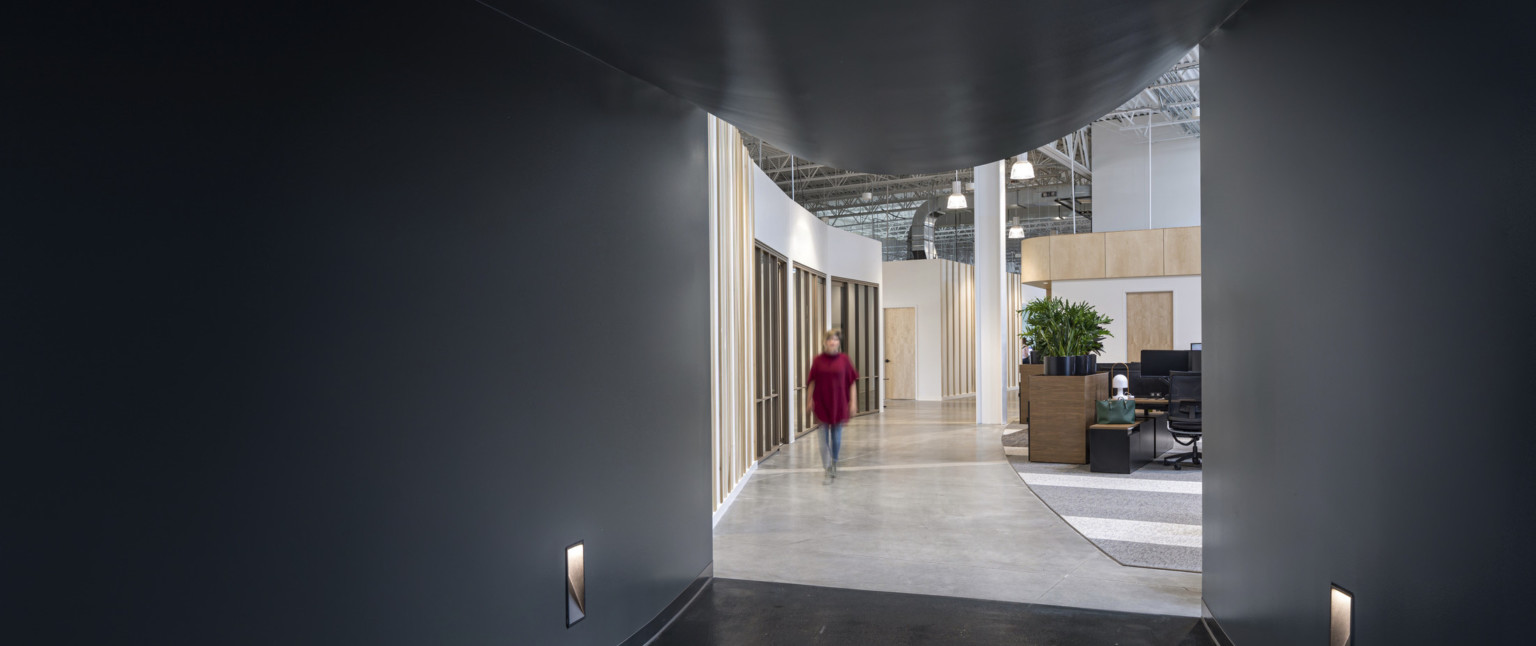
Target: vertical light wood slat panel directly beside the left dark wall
column 733, row 266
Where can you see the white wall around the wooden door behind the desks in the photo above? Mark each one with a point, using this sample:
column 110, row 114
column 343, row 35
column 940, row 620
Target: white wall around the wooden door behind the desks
column 1110, row 297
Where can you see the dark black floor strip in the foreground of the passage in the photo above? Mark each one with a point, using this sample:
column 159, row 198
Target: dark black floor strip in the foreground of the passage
column 761, row 615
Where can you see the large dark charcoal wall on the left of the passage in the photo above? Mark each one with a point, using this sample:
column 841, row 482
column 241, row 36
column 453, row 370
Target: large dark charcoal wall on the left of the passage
column 337, row 325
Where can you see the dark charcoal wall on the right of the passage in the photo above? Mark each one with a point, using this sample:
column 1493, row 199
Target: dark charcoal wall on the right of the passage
column 1368, row 228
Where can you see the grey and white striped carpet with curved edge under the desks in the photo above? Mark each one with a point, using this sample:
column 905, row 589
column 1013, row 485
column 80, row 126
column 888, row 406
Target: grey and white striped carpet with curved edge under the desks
column 1147, row 519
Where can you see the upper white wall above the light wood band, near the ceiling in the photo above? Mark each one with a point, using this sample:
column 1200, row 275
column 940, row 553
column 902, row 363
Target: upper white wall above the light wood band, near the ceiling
column 1121, row 180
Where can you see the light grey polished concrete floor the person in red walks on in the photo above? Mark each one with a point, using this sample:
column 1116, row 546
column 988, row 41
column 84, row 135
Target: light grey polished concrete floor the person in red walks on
column 927, row 504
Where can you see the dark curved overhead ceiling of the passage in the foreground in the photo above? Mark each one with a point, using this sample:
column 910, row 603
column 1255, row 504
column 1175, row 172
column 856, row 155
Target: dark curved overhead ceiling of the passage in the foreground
column 890, row 87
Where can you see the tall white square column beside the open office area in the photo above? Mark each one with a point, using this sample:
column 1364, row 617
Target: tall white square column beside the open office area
column 991, row 298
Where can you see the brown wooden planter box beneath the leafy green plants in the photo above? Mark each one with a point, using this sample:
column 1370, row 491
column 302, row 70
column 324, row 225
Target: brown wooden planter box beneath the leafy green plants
column 1061, row 412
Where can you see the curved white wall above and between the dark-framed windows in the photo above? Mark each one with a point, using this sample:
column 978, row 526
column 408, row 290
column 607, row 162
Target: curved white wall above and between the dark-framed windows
column 787, row 228
